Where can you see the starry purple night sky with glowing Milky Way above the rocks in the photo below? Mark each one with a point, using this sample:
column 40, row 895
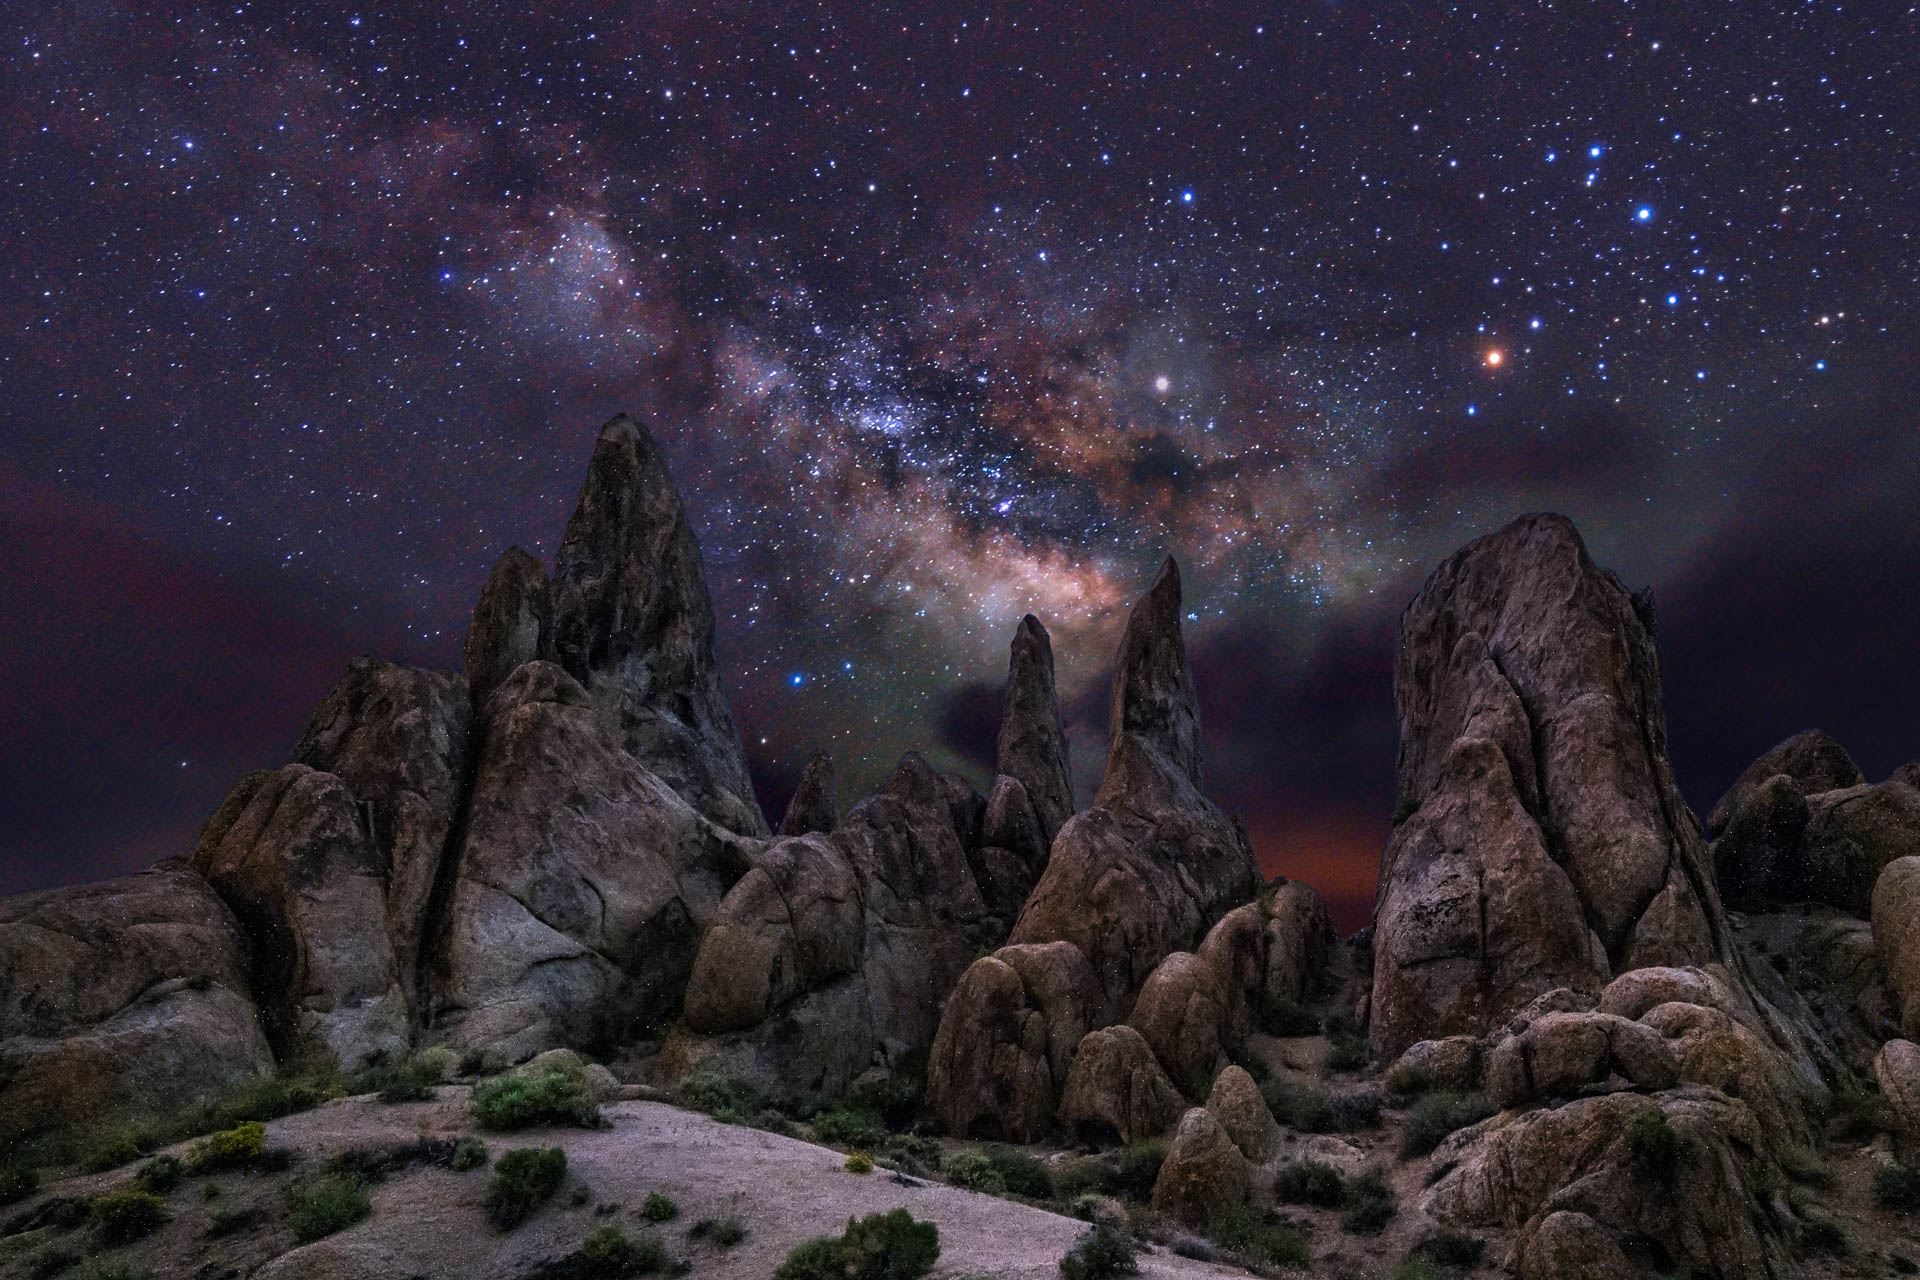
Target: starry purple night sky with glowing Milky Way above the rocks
column 946, row 314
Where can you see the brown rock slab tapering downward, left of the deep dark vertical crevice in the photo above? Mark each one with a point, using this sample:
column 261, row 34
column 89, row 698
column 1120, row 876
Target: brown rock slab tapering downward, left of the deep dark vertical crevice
column 398, row 738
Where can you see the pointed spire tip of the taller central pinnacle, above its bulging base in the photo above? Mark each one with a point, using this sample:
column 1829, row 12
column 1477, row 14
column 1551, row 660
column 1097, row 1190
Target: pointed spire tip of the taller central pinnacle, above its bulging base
column 1153, row 684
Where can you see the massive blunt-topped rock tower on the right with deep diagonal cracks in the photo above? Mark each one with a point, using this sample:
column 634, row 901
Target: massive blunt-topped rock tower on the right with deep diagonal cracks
column 1543, row 840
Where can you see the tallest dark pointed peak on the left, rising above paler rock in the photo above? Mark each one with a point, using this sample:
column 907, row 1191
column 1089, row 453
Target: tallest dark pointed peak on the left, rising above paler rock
column 635, row 625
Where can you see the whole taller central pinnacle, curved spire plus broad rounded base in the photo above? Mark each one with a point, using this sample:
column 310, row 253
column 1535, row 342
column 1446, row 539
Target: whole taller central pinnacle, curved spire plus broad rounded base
column 1153, row 865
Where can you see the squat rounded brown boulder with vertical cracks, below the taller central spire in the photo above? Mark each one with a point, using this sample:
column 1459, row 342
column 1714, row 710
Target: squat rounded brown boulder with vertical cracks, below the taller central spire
column 1007, row 1041
